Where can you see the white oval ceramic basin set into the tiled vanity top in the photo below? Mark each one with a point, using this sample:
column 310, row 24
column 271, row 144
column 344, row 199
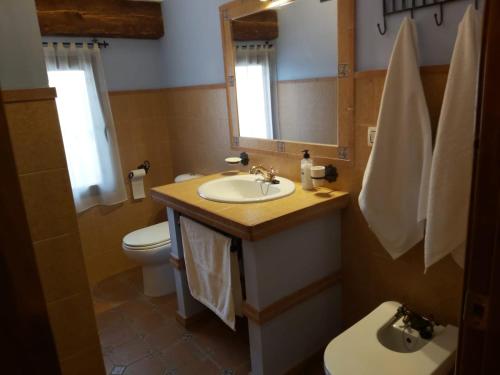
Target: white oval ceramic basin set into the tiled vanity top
column 245, row 189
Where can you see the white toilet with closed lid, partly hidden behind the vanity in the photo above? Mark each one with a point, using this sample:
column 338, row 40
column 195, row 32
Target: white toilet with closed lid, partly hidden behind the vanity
column 150, row 247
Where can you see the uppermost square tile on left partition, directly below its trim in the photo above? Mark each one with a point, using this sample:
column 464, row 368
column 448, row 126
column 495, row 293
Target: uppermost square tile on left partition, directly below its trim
column 36, row 136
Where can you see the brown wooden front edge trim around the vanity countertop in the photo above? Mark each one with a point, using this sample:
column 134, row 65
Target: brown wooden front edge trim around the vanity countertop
column 257, row 232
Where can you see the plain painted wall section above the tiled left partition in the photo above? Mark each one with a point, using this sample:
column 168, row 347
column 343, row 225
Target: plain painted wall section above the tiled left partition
column 21, row 58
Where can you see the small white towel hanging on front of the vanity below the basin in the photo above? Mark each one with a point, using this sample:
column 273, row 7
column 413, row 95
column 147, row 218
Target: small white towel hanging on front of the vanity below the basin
column 212, row 270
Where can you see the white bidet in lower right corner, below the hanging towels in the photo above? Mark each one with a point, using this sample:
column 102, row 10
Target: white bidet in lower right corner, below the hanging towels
column 381, row 344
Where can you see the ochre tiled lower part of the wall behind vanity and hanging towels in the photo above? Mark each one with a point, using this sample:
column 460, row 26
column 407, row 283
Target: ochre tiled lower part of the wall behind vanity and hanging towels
column 200, row 141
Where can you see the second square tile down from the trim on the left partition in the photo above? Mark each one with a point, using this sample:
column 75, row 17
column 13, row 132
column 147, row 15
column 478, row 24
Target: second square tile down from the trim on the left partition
column 49, row 203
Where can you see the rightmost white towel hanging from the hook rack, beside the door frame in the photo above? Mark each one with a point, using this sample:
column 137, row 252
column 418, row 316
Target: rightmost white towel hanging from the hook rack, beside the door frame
column 451, row 171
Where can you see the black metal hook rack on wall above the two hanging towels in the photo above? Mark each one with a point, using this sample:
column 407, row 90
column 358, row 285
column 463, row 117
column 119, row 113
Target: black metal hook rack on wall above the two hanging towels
column 390, row 7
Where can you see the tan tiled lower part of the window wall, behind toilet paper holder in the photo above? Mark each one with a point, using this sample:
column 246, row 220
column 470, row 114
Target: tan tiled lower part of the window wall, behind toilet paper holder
column 143, row 134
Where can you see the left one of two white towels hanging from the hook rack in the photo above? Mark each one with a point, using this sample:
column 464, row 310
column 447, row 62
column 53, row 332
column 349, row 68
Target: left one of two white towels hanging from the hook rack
column 393, row 198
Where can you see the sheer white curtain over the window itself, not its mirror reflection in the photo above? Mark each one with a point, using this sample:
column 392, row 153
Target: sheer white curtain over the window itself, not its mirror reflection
column 86, row 124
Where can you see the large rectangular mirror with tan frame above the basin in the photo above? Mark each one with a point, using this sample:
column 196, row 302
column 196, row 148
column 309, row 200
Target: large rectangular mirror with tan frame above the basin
column 283, row 86
